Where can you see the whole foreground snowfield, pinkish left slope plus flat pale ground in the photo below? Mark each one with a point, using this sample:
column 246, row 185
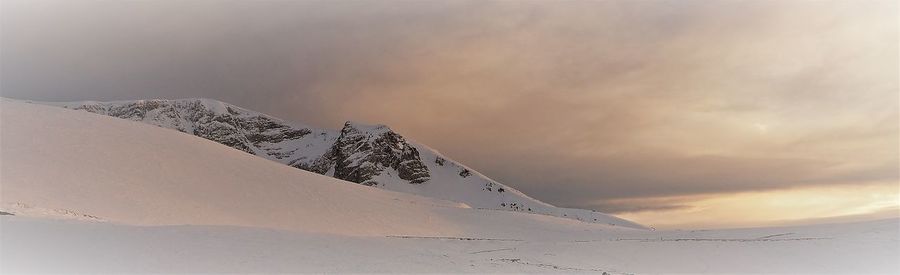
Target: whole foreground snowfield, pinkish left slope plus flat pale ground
column 90, row 193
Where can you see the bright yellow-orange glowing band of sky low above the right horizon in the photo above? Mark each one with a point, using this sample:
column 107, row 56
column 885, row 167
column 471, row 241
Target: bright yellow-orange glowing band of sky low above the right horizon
column 773, row 208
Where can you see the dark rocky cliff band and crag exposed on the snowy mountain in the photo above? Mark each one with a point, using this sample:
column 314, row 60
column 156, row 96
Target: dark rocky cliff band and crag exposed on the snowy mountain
column 359, row 154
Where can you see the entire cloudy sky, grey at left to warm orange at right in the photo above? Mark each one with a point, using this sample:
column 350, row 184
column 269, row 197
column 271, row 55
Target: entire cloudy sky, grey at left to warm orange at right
column 707, row 113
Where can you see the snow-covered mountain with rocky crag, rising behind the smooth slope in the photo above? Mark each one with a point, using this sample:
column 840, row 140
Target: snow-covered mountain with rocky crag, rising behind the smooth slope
column 372, row 155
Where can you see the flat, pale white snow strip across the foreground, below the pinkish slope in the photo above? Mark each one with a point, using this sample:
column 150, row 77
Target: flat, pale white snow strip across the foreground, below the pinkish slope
column 87, row 247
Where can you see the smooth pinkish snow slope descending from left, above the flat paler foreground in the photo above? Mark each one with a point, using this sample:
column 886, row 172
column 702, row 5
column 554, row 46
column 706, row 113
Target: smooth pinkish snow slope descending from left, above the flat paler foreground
column 64, row 161
